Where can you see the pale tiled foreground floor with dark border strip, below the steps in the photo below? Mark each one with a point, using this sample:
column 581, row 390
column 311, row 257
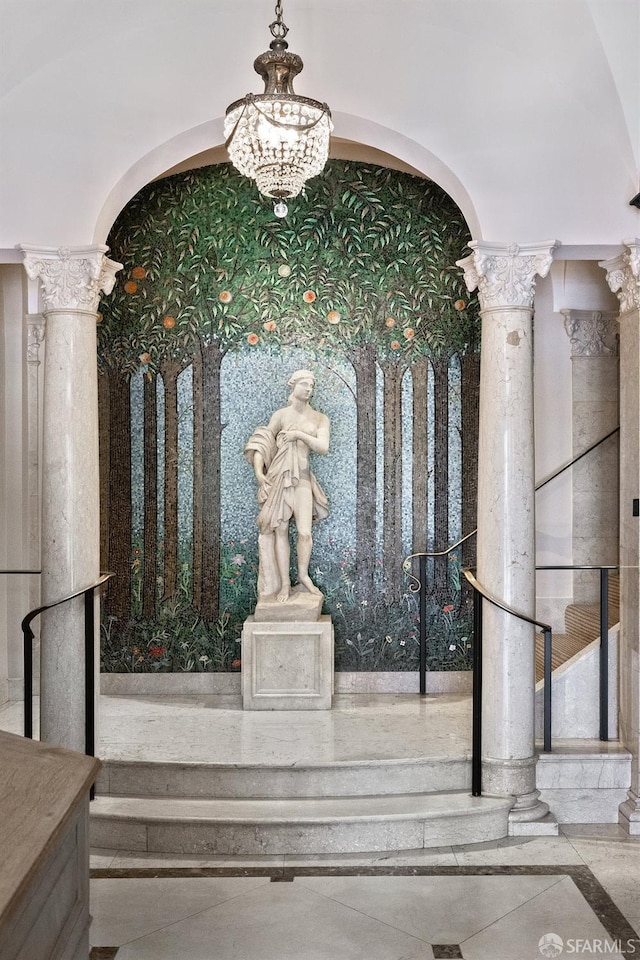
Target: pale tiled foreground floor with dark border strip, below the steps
column 493, row 901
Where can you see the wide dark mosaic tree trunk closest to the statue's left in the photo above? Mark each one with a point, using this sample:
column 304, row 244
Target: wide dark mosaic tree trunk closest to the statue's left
column 212, row 426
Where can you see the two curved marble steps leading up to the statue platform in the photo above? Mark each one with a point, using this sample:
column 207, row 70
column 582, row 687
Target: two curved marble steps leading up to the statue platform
column 223, row 809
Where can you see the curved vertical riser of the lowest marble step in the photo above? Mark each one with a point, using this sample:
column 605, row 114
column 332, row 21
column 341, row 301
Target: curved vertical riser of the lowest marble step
column 225, row 839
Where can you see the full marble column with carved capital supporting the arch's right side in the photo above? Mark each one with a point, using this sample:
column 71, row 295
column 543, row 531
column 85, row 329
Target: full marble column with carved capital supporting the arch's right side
column 505, row 278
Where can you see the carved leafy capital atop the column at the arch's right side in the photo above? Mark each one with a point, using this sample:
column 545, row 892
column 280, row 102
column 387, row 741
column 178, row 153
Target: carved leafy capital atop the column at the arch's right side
column 505, row 273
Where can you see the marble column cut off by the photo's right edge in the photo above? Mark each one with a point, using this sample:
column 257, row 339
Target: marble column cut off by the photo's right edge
column 623, row 276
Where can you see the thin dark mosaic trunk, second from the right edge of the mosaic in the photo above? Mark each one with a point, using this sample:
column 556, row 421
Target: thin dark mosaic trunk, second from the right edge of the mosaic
column 440, row 367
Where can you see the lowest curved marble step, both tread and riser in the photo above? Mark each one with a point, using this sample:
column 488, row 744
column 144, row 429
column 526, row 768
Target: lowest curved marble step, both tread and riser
column 319, row 825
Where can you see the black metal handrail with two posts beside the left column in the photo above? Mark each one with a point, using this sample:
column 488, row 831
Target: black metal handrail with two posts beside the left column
column 89, row 659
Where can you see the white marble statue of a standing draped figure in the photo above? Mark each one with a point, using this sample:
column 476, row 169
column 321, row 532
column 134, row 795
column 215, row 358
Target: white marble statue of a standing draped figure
column 279, row 454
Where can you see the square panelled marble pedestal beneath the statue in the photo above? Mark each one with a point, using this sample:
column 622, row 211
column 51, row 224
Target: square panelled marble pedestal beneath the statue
column 287, row 665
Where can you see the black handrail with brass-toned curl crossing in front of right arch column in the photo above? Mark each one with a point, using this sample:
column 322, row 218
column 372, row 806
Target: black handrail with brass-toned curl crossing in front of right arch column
column 480, row 593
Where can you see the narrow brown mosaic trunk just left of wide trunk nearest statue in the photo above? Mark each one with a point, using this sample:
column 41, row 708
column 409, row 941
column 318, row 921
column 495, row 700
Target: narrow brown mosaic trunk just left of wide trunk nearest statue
column 170, row 370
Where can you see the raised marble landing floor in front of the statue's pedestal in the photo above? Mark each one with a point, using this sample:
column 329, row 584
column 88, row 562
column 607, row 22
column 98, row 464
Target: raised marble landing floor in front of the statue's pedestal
column 215, row 729
